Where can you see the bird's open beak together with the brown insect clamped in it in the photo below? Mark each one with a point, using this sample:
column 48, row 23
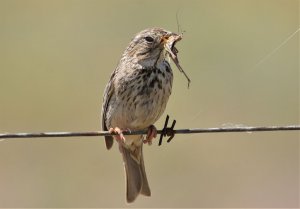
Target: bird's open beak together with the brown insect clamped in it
column 169, row 42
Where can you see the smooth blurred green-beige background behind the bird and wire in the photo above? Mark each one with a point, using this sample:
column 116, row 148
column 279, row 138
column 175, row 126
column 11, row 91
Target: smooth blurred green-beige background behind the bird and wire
column 56, row 58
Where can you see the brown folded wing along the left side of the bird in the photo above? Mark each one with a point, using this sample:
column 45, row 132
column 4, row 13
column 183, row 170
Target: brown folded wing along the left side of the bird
column 108, row 92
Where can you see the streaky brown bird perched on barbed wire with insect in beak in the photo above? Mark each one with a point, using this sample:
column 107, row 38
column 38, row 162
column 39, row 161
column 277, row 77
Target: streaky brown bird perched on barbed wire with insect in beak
column 135, row 98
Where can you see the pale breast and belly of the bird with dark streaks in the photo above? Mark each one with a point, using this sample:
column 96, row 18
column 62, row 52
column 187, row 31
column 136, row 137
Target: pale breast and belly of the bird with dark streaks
column 144, row 96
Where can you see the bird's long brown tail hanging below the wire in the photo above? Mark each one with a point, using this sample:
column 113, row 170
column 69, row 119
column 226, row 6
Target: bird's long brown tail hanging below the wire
column 136, row 179
